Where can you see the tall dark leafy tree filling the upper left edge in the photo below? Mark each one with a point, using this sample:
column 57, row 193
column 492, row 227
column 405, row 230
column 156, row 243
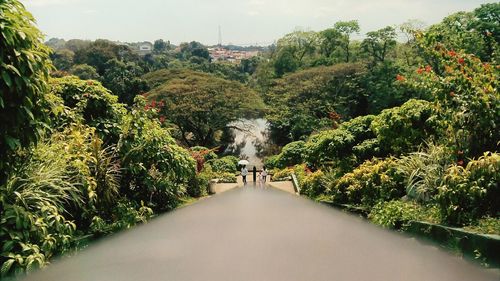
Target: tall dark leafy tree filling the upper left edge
column 24, row 70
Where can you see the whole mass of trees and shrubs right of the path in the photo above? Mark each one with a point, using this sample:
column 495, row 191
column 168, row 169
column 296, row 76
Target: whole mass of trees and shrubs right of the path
column 429, row 149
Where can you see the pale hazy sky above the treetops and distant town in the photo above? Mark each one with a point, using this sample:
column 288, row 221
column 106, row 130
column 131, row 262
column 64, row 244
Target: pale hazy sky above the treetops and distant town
column 242, row 22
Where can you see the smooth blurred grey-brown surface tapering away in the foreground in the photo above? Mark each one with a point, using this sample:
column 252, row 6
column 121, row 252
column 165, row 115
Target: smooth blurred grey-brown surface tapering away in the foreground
column 261, row 234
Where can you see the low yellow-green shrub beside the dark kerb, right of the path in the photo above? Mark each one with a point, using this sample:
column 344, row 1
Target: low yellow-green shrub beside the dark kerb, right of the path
column 396, row 214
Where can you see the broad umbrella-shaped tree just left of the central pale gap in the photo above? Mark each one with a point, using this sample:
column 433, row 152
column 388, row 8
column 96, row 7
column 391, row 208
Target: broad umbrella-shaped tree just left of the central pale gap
column 200, row 104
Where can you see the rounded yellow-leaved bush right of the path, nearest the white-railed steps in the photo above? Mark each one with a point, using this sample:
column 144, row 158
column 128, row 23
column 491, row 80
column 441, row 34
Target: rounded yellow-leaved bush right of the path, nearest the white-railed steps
column 371, row 182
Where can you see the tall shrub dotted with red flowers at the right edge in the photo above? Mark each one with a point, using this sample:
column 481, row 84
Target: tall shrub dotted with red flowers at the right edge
column 465, row 90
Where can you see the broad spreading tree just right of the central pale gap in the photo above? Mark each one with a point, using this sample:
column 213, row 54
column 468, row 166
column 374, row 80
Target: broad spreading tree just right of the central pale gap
column 308, row 100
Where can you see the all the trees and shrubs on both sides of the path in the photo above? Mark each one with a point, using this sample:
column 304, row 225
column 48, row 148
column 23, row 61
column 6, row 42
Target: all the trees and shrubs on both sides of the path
column 95, row 138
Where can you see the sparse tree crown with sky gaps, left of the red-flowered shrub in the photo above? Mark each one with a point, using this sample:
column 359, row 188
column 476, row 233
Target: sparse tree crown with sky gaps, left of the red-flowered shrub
column 377, row 44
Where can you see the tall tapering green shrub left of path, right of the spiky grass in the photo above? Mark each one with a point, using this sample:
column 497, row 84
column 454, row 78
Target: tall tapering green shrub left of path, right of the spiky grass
column 155, row 168
